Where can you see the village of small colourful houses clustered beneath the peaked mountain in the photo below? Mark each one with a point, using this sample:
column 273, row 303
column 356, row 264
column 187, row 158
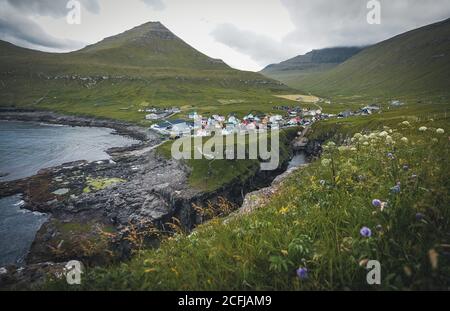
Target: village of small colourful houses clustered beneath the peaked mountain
column 197, row 125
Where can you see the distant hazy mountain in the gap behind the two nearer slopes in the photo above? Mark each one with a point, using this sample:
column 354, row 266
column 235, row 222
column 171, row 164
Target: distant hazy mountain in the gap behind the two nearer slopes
column 293, row 71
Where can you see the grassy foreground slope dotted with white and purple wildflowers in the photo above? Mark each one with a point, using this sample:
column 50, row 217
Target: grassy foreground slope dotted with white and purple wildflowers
column 314, row 221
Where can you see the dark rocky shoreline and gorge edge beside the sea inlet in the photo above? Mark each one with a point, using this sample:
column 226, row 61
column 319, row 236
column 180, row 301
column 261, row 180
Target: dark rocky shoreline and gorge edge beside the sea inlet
column 97, row 227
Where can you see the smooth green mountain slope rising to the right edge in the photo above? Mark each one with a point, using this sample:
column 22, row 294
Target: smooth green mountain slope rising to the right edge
column 413, row 63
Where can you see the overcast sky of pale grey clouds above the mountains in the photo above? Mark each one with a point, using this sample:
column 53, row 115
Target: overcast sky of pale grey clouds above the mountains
column 246, row 34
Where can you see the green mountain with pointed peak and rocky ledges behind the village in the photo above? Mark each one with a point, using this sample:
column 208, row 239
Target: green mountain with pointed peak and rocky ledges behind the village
column 145, row 66
